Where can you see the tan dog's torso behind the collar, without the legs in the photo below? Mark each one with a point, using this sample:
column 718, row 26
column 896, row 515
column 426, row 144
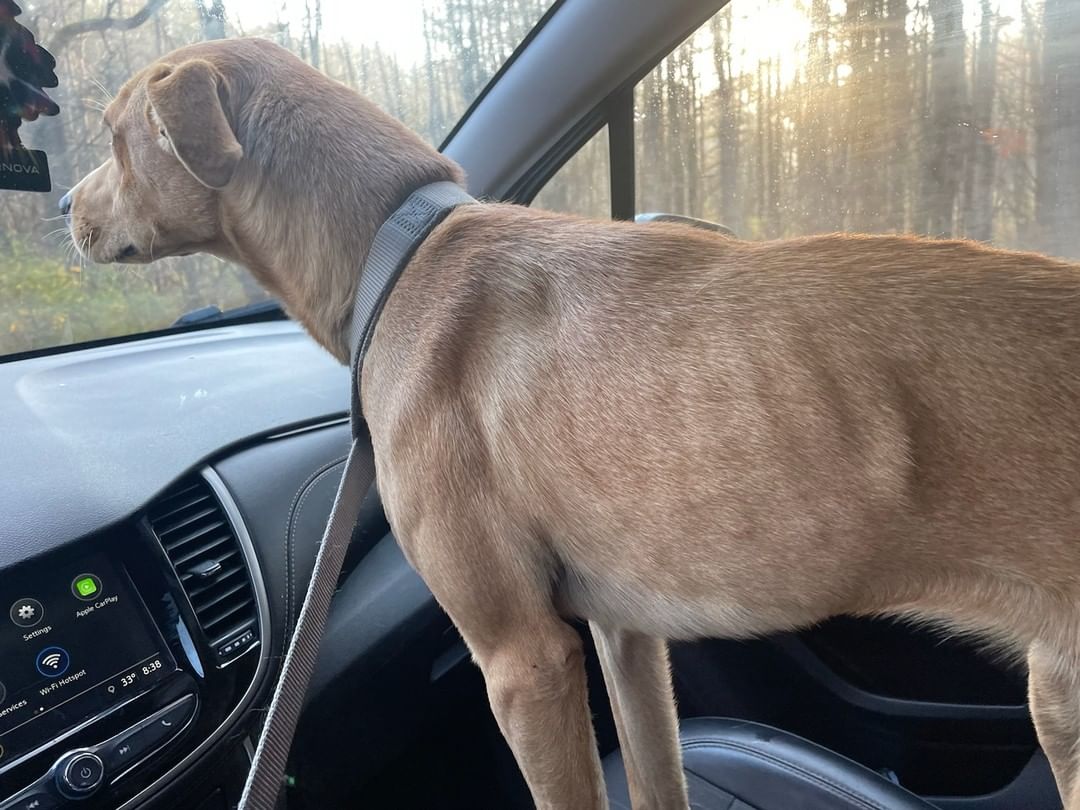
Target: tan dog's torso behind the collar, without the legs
column 721, row 438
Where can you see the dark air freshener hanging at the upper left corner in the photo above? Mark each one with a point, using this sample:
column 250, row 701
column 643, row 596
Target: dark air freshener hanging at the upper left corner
column 26, row 69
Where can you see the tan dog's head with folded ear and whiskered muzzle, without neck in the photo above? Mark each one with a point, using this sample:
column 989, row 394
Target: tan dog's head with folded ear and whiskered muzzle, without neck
column 174, row 150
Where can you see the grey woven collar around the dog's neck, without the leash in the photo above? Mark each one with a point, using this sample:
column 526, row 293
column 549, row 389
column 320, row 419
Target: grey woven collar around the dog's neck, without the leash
column 395, row 245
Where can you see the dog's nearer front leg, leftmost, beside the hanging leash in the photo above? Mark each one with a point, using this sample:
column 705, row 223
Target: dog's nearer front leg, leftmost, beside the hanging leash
column 532, row 660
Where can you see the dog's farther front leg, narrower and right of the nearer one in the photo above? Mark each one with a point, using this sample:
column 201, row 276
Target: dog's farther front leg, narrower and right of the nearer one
column 640, row 686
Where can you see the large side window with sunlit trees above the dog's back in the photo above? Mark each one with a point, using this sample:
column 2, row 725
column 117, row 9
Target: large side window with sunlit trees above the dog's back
column 949, row 118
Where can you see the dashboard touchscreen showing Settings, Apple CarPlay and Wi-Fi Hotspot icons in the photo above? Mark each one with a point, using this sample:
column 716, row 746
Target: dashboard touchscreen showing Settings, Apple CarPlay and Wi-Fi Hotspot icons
column 75, row 642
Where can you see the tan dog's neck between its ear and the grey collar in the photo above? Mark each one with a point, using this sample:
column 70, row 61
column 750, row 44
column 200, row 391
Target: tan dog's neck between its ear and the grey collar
column 316, row 186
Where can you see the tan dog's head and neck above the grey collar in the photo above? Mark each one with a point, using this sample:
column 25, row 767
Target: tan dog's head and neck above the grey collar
column 241, row 150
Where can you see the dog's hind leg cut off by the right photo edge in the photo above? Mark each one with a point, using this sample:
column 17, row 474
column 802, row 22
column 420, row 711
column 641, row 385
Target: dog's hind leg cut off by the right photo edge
column 1055, row 700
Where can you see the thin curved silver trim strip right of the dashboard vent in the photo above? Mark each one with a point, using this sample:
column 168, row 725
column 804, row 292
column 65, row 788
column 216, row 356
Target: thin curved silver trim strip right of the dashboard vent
column 259, row 585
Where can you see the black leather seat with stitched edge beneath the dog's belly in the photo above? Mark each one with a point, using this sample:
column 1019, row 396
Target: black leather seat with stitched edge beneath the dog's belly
column 736, row 765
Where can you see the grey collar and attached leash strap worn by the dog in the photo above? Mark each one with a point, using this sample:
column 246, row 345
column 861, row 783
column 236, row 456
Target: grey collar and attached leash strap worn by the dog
column 395, row 245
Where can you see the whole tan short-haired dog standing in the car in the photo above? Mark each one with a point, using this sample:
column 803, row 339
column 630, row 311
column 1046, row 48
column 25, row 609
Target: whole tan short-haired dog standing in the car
column 667, row 433
